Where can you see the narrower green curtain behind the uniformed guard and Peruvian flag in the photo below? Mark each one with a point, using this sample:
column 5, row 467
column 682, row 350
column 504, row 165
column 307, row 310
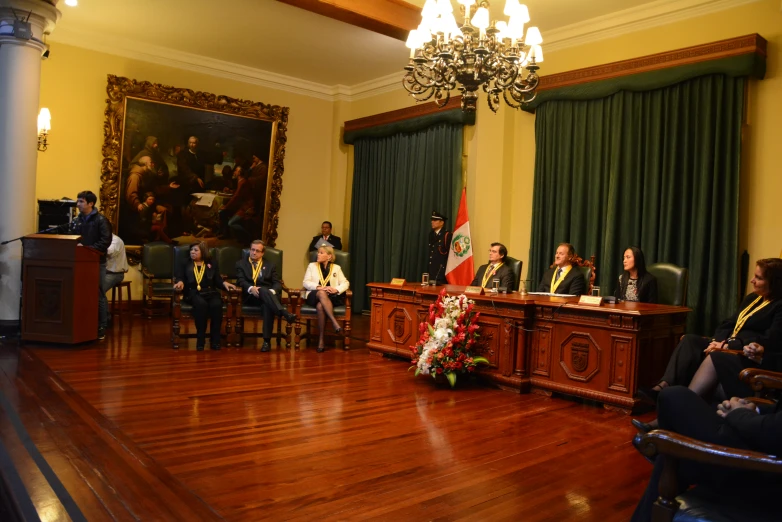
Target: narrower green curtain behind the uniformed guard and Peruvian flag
column 397, row 182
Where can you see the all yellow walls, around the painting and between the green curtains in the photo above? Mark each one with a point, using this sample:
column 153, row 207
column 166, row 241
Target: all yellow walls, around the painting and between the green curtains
column 500, row 148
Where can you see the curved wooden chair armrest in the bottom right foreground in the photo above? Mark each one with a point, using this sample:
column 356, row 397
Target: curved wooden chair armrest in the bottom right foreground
column 672, row 444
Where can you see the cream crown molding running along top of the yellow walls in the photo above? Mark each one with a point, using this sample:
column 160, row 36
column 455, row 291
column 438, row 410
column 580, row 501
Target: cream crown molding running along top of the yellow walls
column 653, row 14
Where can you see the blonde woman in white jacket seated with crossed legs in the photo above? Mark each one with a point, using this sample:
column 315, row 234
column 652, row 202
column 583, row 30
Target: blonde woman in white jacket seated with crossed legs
column 326, row 286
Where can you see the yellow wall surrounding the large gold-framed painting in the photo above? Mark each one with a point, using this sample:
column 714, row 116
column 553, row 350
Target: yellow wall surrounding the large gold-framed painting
column 74, row 89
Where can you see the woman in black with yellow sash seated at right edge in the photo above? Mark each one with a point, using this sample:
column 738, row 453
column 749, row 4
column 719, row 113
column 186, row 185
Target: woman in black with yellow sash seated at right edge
column 756, row 330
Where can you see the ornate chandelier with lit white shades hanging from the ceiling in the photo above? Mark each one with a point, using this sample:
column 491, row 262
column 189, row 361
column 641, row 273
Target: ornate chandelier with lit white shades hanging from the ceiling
column 493, row 55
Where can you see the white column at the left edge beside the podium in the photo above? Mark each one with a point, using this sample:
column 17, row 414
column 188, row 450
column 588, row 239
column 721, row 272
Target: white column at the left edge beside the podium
column 20, row 82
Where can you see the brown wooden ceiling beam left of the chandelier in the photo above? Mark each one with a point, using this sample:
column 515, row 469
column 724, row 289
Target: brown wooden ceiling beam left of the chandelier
column 394, row 18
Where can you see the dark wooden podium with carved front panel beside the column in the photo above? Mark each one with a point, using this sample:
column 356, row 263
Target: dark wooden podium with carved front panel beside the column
column 59, row 290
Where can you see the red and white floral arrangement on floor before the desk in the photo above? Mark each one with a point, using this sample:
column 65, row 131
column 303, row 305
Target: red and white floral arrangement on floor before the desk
column 448, row 335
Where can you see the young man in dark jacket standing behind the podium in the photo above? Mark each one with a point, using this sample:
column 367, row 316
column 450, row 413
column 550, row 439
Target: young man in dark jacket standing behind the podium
column 95, row 232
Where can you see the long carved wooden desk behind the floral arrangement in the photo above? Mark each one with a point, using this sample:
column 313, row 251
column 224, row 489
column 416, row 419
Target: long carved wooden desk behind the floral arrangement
column 546, row 344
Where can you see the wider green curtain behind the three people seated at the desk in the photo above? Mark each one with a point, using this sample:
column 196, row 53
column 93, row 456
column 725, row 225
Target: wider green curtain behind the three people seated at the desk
column 656, row 169
